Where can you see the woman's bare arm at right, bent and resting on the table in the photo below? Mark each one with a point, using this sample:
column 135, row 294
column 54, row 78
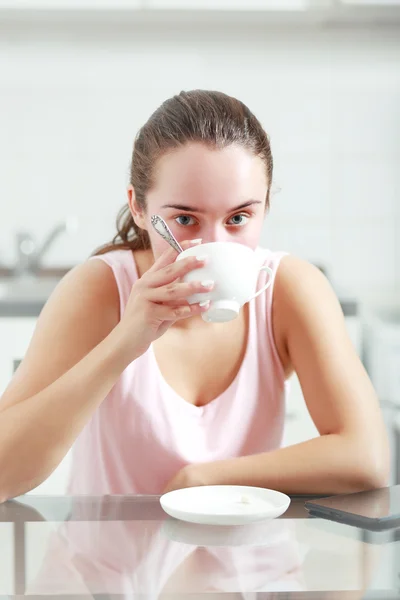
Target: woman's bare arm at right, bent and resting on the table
column 352, row 452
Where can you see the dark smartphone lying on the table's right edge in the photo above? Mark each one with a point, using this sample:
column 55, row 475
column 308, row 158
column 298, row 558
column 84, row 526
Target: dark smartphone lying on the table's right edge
column 376, row 510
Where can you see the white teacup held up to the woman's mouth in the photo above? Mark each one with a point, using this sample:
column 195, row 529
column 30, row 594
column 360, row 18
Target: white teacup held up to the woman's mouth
column 234, row 268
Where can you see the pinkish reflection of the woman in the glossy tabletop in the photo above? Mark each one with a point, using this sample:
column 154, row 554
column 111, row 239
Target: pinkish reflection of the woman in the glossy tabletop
column 163, row 557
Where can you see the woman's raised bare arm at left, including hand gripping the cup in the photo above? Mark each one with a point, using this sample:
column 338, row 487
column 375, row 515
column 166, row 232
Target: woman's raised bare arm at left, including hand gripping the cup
column 78, row 351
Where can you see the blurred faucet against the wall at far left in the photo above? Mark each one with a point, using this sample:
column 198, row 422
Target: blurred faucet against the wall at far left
column 30, row 254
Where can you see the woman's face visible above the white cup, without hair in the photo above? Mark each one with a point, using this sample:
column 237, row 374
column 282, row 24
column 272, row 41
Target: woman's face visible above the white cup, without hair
column 215, row 195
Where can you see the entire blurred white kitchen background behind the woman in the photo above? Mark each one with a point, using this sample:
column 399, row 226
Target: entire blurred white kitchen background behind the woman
column 79, row 77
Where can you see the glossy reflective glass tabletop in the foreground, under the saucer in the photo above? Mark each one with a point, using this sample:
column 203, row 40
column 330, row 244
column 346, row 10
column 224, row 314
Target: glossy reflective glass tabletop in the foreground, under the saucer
column 126, row 547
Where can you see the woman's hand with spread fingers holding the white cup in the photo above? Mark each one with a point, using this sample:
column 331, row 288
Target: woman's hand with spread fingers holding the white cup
column 159, row 298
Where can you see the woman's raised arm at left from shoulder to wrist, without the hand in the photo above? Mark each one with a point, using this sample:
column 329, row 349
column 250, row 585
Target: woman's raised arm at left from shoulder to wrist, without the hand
column 72, row 362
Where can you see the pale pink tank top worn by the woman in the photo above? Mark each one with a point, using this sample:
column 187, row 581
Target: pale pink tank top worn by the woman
column 143, row 432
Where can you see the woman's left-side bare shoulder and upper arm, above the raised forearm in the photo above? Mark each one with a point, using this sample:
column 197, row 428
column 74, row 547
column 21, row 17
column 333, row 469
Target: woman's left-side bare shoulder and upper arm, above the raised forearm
column 80, row 313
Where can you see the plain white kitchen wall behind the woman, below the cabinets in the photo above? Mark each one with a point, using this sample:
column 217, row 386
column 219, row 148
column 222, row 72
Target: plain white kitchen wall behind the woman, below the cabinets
column 72, row 99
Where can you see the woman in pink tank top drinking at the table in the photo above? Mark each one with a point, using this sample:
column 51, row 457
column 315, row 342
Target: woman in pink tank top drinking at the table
column 156, row 398
